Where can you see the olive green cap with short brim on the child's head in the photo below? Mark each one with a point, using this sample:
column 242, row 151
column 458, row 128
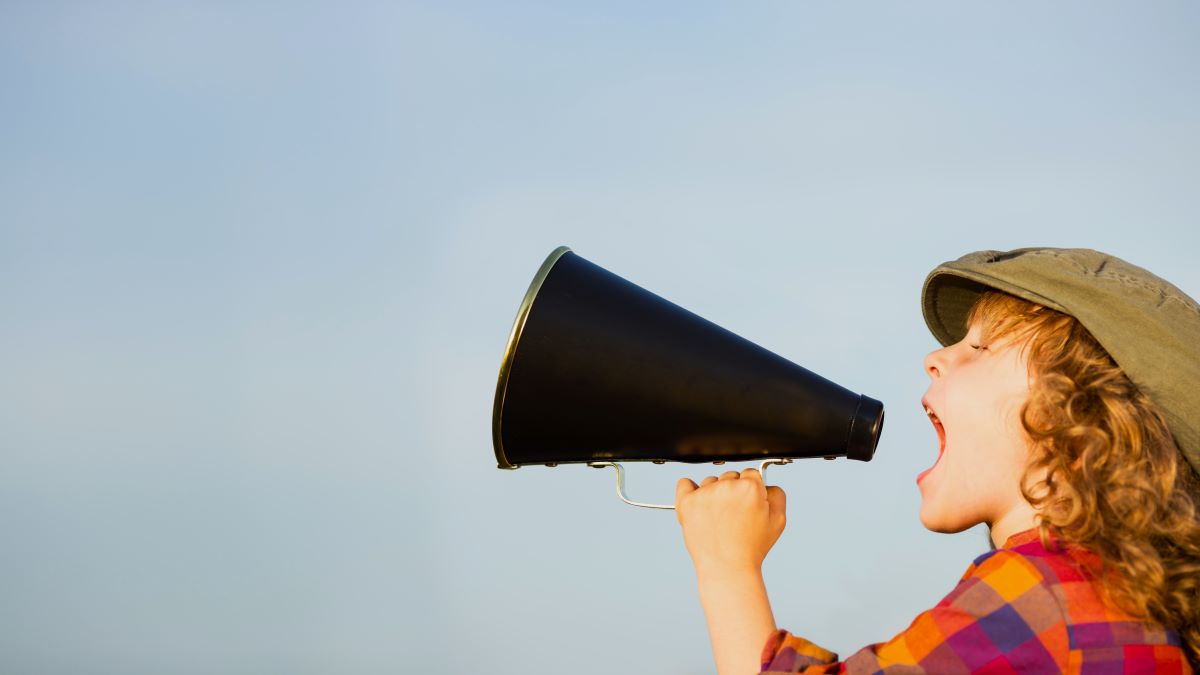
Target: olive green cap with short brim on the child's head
column 1149, row 327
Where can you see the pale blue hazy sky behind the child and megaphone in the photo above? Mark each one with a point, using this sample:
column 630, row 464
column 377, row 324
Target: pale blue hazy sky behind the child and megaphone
column 259, row 264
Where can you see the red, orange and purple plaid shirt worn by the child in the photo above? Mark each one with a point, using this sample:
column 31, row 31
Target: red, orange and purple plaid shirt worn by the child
column 1018, row 610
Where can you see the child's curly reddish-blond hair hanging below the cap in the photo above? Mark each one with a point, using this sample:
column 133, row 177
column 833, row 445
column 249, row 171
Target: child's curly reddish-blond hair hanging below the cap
column 1105, row 473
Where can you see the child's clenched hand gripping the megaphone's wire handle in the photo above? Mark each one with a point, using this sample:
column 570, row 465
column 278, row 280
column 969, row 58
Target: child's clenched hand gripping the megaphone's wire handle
column 733, row 522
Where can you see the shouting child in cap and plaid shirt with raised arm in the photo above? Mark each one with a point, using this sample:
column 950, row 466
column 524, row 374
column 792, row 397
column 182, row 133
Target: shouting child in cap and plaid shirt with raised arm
column 1067, row 408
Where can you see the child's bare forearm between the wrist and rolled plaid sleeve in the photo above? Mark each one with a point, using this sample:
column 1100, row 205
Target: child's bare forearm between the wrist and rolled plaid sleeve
column 740, row 618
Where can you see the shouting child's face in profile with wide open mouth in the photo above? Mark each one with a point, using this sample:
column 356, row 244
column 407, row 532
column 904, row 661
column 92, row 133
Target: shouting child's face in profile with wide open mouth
column 976, row 396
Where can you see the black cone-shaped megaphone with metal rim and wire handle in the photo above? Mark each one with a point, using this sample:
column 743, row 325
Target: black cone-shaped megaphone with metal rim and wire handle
column 598, row 371
